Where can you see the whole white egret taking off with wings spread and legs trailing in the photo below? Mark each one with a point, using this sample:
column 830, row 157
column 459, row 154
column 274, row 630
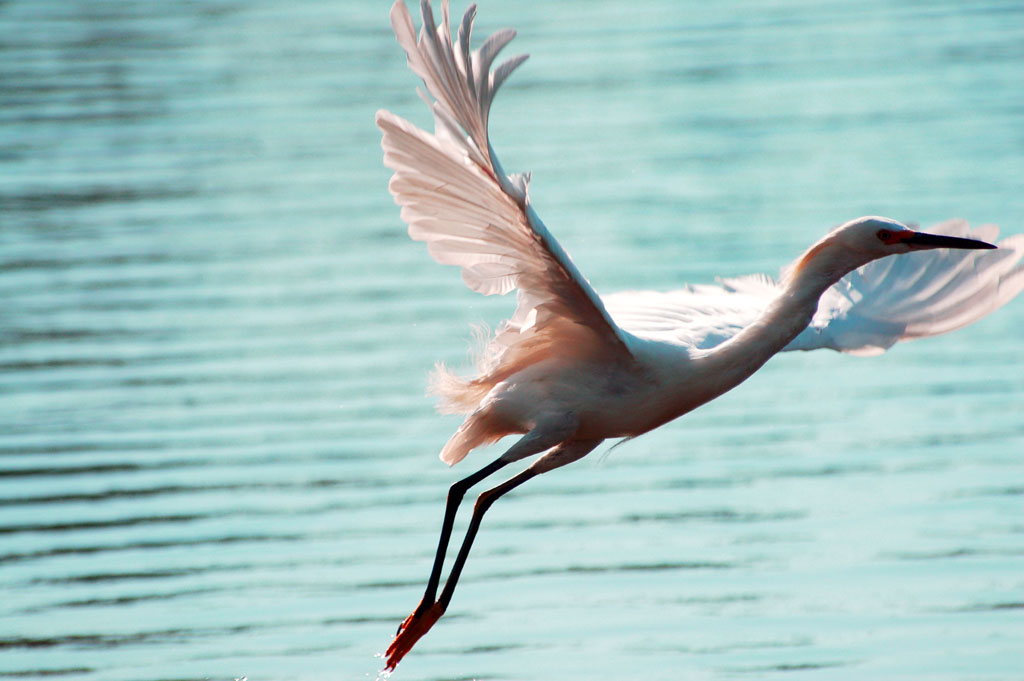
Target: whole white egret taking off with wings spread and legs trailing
column 570, row 369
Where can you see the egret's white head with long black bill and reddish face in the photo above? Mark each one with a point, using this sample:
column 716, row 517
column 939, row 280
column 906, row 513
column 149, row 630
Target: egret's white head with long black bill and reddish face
column 860, row 242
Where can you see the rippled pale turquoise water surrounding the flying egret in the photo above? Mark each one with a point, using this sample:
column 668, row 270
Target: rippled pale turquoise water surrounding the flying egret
column 217, row 456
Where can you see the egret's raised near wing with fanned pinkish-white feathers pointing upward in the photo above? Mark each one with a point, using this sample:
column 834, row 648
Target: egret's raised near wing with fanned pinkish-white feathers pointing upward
column 455, row 197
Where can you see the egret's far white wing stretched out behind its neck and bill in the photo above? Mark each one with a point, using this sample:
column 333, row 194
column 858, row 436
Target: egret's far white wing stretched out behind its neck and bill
column 866, row 313
